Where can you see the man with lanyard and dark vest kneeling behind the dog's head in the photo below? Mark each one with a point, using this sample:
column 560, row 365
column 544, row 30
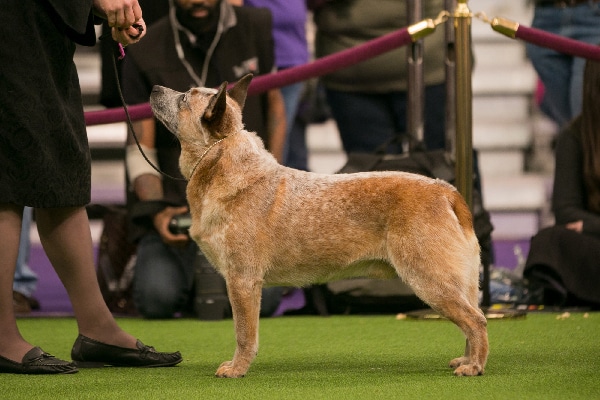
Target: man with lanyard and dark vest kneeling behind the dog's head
column 199, row 43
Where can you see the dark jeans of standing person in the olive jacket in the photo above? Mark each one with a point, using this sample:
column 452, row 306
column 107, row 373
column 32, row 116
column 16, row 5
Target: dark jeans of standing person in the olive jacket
column 368, row 120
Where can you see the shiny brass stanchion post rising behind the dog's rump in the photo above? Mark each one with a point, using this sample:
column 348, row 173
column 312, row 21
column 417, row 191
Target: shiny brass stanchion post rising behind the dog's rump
column 464, row 97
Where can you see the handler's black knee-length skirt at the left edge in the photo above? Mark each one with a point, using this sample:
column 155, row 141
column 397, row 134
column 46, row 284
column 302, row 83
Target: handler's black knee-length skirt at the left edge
column 44, row 152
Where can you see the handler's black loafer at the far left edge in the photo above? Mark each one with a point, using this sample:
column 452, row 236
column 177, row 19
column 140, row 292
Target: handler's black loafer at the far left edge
column 37, row 362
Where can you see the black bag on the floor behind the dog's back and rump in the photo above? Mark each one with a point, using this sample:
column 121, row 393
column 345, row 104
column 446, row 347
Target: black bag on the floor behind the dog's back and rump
column 358, row 293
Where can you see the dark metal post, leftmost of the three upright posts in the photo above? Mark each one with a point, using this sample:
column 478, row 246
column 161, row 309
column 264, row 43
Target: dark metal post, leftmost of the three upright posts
column 416, row 102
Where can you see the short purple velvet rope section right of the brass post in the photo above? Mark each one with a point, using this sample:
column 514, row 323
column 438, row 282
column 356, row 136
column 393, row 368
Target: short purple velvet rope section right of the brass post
column 558, row 43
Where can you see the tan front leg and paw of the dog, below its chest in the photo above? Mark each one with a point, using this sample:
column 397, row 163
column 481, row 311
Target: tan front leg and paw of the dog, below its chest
column 244, row 296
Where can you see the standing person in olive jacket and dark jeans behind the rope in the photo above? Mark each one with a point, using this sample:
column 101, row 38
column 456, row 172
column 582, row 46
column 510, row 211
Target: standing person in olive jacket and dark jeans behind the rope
column 369, row 100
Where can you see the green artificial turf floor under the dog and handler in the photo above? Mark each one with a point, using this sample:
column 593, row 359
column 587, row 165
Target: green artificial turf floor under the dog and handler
column 339, row 357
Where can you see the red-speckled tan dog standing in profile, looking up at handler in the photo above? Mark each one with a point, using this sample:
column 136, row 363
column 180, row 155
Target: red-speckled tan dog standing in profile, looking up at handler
column 260, row 223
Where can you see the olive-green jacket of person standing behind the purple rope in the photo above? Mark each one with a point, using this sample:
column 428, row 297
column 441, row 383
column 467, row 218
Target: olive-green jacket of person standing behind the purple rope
column 342, row 25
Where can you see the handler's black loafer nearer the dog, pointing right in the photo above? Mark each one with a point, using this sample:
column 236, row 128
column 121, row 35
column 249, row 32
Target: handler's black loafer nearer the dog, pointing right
column 90, row 353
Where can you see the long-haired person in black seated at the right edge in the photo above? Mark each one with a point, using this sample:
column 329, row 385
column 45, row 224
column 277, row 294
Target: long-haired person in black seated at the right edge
column 563, row 264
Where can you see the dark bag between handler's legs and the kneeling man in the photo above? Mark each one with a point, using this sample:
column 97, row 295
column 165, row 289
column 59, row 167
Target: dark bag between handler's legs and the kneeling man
column 116, row 262
